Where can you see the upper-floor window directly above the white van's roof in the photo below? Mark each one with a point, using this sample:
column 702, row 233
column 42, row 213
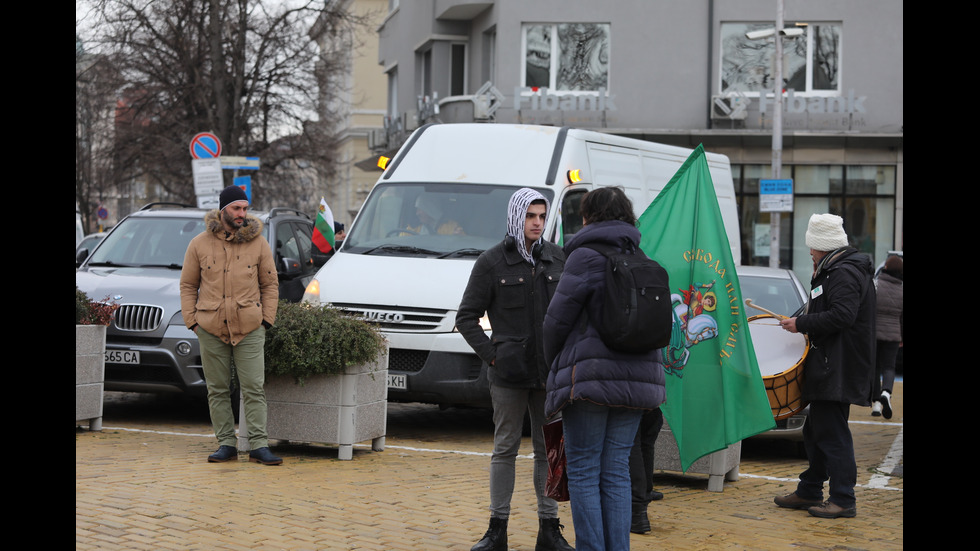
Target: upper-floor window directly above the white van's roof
column 566, row 57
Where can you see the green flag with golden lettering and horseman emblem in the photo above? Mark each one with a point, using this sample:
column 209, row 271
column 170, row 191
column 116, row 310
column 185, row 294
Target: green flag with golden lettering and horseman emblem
column 715, row 393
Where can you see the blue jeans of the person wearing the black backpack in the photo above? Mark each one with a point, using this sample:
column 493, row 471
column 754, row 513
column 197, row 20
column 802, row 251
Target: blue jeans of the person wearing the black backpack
column 598, row 440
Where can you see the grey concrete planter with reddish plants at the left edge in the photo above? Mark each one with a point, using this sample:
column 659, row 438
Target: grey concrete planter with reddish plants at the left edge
column 89, row 374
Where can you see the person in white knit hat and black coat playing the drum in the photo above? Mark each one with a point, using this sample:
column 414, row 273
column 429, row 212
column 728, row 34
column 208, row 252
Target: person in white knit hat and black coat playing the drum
column 839, row 319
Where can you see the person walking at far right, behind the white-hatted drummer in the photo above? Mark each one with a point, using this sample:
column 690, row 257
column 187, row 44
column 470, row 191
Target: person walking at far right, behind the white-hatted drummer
column 890, row 329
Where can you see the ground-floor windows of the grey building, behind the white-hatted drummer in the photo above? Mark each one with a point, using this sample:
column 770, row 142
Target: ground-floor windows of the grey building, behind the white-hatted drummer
column 864, row 195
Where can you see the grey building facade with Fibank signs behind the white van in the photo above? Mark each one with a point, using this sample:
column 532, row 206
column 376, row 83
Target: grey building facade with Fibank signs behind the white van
column 681, row 73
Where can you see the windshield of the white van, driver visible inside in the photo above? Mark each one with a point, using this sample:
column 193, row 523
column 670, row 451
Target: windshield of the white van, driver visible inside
column 431, row 219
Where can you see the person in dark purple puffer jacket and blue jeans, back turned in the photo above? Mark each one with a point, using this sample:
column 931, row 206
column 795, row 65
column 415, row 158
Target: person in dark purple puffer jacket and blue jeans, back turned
column 600, row 393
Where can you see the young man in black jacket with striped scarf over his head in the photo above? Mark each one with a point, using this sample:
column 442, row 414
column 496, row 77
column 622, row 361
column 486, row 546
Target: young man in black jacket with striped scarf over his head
column 513, row 282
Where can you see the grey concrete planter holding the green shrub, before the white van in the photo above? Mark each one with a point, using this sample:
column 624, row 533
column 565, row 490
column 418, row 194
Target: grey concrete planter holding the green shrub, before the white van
column 328, row 409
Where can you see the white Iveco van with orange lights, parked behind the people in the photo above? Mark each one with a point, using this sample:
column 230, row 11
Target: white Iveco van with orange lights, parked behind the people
column 442, row 201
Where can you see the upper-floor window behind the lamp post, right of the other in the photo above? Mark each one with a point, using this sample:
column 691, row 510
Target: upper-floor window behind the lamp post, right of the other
column 811, row 62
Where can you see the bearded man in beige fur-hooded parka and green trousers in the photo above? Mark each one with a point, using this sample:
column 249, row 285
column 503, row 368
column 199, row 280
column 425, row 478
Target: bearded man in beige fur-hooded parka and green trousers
column 229, row 293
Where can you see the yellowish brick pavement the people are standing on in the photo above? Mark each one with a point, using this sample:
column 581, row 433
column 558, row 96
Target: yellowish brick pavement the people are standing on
column 146, row 486
